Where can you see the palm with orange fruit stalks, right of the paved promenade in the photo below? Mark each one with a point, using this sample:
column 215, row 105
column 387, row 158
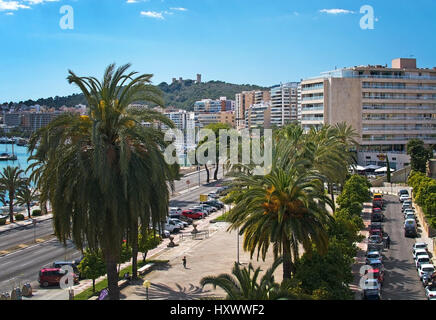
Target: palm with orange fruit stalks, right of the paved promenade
column 285, row 208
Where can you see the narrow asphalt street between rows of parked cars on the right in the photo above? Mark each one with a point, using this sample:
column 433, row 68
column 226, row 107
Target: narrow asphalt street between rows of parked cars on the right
column 401, row 278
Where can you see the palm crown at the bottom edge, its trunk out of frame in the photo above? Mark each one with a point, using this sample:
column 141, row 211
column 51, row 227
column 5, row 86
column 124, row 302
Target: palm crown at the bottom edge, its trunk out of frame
column 244, row 284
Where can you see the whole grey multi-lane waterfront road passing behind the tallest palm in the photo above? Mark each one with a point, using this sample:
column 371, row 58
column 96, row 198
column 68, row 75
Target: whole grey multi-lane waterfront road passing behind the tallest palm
column 24, row 265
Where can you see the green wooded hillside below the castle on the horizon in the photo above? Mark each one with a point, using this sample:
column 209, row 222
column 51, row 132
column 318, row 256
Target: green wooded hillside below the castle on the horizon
column 180, row 95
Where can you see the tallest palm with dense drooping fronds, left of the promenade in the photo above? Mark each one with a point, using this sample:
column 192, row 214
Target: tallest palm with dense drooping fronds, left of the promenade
column 104, row 172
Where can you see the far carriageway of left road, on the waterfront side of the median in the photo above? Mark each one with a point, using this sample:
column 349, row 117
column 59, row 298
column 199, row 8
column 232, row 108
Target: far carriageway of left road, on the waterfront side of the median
column 26, row 234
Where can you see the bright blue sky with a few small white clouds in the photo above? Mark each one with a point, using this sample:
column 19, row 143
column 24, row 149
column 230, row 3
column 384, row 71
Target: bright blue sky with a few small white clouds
column 261, row 42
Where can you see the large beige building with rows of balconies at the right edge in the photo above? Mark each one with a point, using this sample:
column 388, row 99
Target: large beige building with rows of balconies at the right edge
column 386, row 106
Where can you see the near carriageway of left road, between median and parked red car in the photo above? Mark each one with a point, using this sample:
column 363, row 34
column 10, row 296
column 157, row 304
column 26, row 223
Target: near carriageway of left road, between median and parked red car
column 24, row 265
